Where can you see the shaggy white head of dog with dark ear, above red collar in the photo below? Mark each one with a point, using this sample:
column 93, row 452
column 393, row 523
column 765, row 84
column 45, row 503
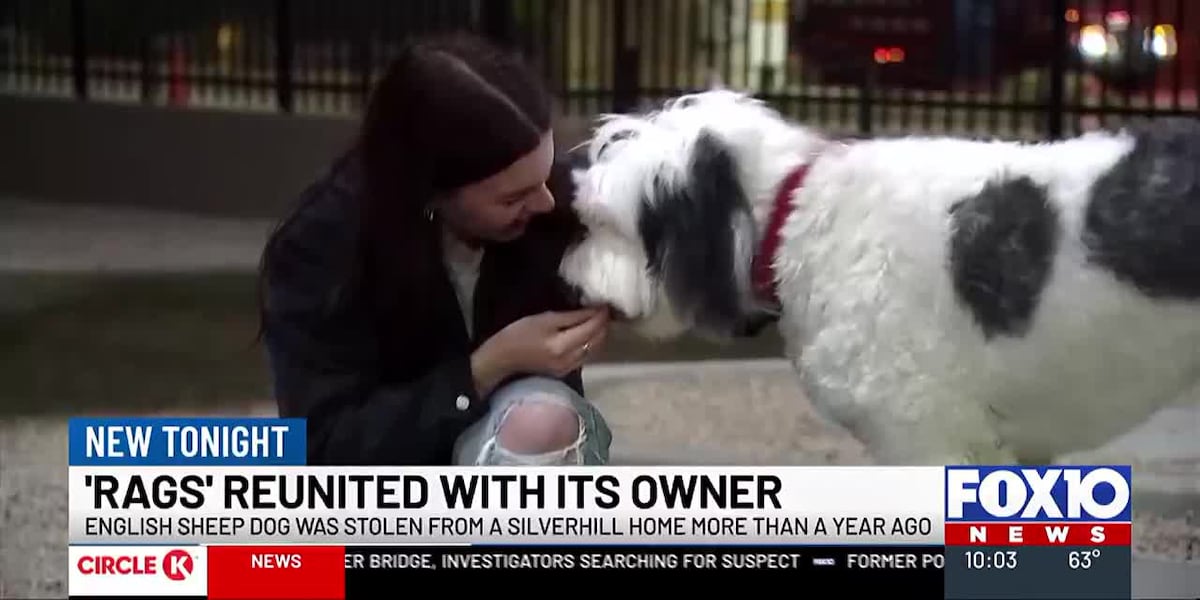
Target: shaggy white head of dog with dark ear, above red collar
column 673, row 205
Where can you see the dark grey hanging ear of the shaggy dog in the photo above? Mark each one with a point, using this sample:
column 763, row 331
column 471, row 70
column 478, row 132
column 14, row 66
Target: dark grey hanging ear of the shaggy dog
column 691, row 230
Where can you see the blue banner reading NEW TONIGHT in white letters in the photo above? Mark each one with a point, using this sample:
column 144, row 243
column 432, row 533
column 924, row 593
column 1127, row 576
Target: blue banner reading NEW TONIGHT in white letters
column 211, row 442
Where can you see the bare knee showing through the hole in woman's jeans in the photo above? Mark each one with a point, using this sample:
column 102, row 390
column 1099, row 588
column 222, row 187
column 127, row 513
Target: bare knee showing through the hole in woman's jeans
column 539, row 427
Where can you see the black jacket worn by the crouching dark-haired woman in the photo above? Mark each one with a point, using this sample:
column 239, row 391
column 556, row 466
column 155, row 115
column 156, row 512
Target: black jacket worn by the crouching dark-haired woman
column 365, row 406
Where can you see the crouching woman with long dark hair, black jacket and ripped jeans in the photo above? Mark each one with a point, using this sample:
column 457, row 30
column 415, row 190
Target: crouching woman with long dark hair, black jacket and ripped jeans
column 413, row 311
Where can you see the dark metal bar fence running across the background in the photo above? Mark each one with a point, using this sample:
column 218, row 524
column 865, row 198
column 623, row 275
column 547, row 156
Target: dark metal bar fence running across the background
column 1030, row 69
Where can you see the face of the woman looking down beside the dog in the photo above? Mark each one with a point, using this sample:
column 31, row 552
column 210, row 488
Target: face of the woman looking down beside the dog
column 500, row 208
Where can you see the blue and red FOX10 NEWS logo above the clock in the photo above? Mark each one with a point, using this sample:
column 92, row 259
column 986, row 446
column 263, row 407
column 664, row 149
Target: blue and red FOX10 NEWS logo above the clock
column 1039, row 506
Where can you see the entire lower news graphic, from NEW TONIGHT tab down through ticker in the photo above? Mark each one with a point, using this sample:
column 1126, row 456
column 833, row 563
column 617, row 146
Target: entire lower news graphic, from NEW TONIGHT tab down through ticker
column 229, row 484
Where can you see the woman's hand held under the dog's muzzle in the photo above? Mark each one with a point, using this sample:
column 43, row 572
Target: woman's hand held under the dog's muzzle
column 551, row 344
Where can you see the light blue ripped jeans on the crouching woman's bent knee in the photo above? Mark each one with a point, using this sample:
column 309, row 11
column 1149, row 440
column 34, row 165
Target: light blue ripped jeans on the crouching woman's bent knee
column 481, row 443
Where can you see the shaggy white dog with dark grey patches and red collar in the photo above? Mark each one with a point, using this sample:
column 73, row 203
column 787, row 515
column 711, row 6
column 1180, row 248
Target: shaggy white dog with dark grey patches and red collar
column 946, row 301
